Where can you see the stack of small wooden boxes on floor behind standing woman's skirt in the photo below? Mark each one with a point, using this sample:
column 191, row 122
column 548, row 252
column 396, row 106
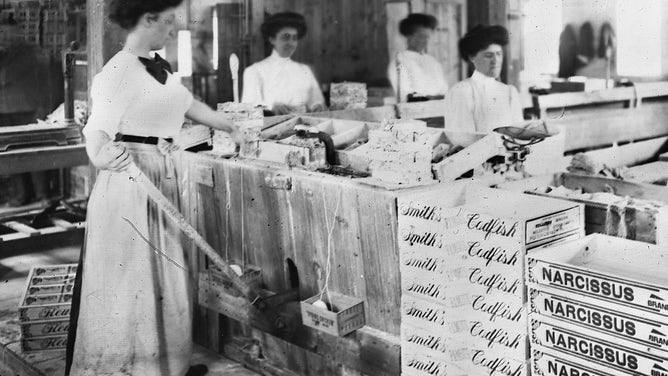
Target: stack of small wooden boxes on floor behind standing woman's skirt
column 44, row 310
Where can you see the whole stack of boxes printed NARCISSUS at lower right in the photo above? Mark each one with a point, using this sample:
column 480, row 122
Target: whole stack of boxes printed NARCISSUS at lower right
column 599, row 306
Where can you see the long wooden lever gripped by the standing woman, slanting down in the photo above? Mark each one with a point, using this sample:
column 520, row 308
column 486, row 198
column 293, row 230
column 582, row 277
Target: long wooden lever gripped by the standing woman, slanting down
column 172, row 212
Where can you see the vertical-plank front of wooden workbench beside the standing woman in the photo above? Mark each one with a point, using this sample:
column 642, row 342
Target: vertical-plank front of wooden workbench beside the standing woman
column 278, row 219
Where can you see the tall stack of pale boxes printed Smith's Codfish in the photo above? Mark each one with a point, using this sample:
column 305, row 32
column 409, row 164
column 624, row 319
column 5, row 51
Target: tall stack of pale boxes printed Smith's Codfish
column 463, row 294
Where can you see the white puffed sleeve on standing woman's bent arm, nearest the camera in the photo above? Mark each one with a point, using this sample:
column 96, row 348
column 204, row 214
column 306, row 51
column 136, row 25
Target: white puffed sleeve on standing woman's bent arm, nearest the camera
column 111, row 95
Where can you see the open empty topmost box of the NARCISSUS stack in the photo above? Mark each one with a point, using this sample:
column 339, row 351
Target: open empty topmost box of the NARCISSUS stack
column 627, row 273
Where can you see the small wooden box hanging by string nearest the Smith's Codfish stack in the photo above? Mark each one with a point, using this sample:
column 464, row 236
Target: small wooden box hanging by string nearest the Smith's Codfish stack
column 346, row 314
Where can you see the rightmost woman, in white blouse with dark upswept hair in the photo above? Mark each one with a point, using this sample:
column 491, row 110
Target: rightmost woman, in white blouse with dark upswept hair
column 482, row 102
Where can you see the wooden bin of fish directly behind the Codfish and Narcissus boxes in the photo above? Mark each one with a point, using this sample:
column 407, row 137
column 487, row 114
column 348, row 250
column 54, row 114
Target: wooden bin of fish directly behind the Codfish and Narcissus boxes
column 633, row 220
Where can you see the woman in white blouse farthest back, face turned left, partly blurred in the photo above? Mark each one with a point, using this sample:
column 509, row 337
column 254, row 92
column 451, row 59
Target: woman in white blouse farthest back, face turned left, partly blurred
column 419, row 76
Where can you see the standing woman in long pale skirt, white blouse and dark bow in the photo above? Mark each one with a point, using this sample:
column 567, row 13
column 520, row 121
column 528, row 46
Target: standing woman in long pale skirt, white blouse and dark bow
column 132, row 305
